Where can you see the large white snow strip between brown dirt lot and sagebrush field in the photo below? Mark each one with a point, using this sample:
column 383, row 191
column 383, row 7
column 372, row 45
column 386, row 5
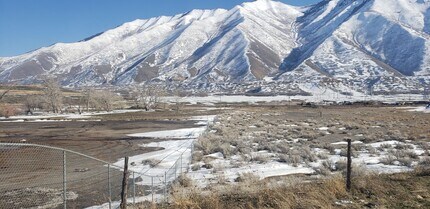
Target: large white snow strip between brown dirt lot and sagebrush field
column 167, row 163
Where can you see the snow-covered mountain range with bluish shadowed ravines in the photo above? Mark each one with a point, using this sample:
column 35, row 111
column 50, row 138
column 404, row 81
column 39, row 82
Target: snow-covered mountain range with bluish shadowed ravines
column 346, row 46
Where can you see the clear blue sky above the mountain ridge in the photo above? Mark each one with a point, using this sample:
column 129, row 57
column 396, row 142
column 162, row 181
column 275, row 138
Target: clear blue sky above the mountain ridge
column 26, row 25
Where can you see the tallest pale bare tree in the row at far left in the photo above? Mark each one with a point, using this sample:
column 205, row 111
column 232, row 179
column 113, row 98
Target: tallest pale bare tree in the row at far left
column 52, row 94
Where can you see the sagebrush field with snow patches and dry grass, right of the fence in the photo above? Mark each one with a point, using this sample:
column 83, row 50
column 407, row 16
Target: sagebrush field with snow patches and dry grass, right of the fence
column 246, row 138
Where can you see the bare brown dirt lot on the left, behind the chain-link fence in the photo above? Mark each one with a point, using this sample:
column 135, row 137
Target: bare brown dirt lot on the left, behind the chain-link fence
column 36, row 173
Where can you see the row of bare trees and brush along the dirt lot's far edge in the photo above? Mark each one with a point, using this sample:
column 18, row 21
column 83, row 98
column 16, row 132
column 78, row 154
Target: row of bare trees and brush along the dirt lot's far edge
column 53, row 99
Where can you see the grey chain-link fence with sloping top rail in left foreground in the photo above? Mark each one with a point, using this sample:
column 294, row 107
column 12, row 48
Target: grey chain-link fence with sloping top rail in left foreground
column 38, row 176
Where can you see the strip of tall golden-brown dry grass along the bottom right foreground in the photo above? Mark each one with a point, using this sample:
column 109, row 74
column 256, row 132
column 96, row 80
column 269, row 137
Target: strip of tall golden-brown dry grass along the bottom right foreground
column 404, row 190
